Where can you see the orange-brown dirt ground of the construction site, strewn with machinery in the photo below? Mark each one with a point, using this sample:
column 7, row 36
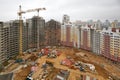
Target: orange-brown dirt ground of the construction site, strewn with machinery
column 62, row 63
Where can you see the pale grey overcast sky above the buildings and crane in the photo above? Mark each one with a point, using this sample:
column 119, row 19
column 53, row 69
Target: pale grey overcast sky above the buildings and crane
column 76, row 9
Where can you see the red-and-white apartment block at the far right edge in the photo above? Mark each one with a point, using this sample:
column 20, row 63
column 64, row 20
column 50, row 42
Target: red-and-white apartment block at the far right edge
column 110, row 44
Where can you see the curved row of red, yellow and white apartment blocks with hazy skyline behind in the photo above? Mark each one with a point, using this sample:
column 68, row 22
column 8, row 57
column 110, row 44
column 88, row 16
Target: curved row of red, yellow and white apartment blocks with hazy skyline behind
column 100, row 38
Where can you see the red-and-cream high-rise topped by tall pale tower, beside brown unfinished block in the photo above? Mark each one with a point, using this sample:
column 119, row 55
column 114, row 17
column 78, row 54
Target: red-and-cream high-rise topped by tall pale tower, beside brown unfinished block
column 66, row 31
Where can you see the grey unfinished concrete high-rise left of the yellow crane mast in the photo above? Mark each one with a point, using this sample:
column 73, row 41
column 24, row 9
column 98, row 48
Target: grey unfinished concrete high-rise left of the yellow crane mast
column 9, row 35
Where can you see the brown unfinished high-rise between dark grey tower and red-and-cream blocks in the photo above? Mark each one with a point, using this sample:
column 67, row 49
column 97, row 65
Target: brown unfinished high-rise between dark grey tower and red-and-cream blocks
column 53, row 33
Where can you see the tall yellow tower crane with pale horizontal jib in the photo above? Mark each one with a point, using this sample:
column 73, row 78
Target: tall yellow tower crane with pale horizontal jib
column 21, row 24
